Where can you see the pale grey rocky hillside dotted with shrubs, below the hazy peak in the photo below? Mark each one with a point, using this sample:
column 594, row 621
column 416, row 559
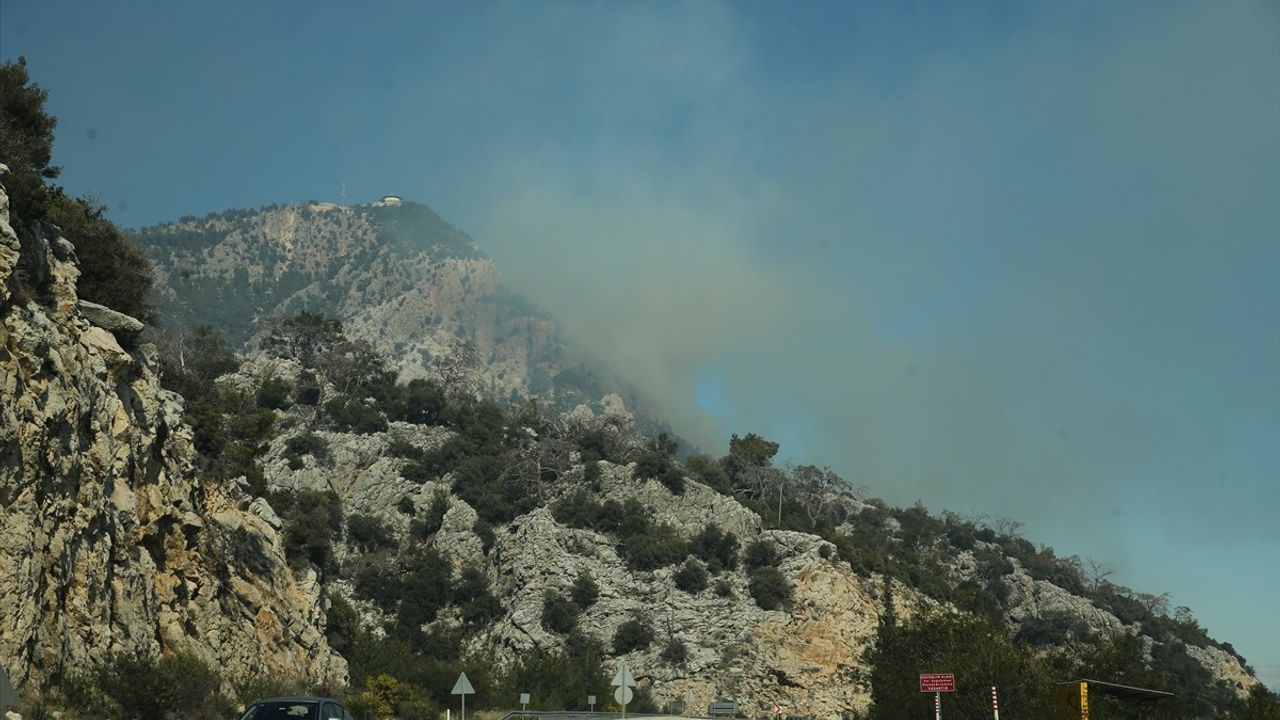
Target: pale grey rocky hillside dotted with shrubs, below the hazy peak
column 806, row 655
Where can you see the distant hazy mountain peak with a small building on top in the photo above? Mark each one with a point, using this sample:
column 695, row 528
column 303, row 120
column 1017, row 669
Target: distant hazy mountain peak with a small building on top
column 397, row 276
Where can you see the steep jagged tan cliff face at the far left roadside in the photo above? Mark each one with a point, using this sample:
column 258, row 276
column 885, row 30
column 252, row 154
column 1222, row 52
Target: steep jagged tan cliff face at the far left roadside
column 109, row 543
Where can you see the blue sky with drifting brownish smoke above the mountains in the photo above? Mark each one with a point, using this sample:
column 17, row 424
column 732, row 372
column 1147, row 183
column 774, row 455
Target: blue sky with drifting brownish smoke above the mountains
column 1020, row 259
